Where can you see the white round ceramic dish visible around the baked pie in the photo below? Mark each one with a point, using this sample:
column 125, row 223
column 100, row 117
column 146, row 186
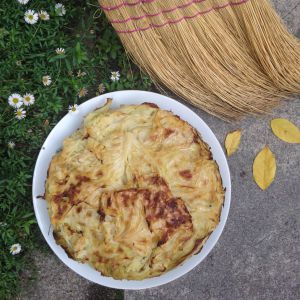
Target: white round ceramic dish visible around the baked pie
column 67, row 126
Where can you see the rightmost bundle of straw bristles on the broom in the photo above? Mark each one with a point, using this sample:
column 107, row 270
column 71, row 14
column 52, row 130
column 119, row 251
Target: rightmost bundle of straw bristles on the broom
column 274, row 47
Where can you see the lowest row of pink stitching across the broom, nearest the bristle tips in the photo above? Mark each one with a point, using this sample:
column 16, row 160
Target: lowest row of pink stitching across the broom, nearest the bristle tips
column 183, row 18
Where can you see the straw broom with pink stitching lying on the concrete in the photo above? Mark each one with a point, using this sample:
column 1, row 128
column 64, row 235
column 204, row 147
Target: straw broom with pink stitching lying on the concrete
column 229, row 58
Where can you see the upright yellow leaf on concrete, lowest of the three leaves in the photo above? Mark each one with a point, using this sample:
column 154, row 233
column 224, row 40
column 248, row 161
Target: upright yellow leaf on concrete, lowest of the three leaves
column 264, row 168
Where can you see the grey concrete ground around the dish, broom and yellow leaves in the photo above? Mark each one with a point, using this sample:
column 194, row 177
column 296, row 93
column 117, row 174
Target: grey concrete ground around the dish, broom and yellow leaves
column 257, row 256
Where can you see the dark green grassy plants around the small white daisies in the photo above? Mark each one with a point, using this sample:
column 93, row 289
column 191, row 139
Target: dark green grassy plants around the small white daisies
column 27, row 53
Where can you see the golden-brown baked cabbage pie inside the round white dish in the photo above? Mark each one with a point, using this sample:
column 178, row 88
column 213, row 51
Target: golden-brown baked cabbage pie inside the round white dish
column 133, row 192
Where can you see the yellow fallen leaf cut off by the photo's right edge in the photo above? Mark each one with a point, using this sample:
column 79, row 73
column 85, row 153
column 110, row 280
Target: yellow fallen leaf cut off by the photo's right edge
column 285, row 130
